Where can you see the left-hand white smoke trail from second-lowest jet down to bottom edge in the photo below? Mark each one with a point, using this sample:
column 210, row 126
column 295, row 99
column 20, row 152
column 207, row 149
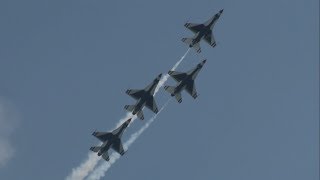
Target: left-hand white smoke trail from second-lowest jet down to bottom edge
column 83, row 170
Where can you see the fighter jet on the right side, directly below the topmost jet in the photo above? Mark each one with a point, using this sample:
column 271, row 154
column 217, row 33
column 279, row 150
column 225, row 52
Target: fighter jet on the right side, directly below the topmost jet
column 185, row 81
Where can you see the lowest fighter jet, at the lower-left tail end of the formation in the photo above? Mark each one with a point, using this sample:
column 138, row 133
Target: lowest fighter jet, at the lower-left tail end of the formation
column 110, row 140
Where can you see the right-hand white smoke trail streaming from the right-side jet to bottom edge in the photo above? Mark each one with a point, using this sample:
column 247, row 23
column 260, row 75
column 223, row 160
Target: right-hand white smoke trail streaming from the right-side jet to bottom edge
column 101, row 170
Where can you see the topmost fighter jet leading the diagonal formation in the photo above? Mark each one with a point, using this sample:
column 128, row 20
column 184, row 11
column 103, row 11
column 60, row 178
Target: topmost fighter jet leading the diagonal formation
column 202, row 31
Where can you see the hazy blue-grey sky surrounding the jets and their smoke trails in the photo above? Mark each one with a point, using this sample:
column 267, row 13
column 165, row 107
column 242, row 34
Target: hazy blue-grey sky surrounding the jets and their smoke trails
column 65, row 66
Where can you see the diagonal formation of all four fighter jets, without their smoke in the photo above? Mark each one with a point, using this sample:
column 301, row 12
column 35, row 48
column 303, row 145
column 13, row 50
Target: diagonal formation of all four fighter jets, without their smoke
column 145, row 97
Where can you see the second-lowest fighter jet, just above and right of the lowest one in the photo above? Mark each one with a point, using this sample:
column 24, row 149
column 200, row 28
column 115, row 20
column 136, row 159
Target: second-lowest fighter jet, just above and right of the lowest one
column 144, row 97
